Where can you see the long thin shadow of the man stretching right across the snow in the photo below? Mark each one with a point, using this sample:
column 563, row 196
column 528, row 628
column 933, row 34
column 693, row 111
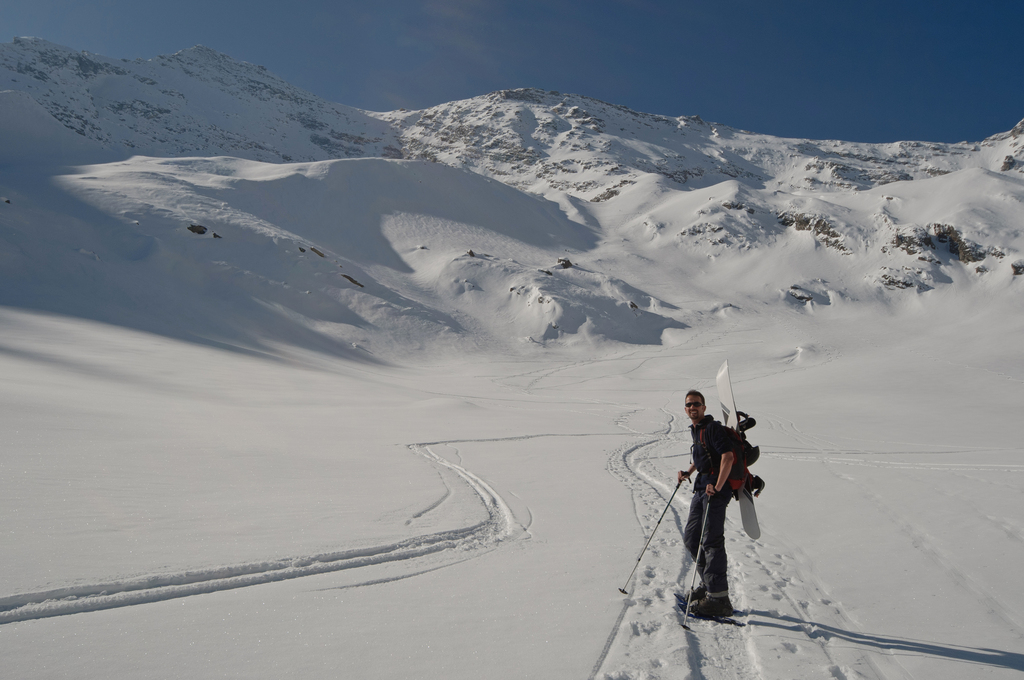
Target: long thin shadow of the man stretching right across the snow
column 986, row 657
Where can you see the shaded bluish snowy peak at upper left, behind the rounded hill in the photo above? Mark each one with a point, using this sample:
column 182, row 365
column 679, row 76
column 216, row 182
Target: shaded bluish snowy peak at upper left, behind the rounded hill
column 195, row 103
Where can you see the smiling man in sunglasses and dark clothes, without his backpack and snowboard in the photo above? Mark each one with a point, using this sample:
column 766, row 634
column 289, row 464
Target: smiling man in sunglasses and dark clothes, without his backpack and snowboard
column 713, row 459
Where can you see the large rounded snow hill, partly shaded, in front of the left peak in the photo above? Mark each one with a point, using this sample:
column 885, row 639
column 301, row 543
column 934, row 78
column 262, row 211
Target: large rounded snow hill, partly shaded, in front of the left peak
column 385, row 256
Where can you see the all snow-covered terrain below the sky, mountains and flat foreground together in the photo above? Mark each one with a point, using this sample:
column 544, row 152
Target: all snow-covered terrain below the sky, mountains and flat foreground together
column 417, row 417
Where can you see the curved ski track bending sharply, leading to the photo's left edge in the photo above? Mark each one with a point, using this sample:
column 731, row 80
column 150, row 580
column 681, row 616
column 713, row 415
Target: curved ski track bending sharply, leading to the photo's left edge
column 463, row 543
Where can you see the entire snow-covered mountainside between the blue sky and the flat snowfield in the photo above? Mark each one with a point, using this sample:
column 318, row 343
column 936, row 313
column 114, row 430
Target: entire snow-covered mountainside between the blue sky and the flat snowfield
column 579, row 182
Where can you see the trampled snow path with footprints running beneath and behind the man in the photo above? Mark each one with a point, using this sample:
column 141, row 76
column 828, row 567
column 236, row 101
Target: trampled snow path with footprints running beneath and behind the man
column 792, row 617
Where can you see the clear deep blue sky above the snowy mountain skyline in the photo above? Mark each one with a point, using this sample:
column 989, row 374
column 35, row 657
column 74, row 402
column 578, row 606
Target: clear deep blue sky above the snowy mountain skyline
column 857, row 71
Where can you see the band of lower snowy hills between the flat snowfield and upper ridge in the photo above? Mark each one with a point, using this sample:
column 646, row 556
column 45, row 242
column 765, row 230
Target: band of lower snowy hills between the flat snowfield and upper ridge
column 374, row 259
